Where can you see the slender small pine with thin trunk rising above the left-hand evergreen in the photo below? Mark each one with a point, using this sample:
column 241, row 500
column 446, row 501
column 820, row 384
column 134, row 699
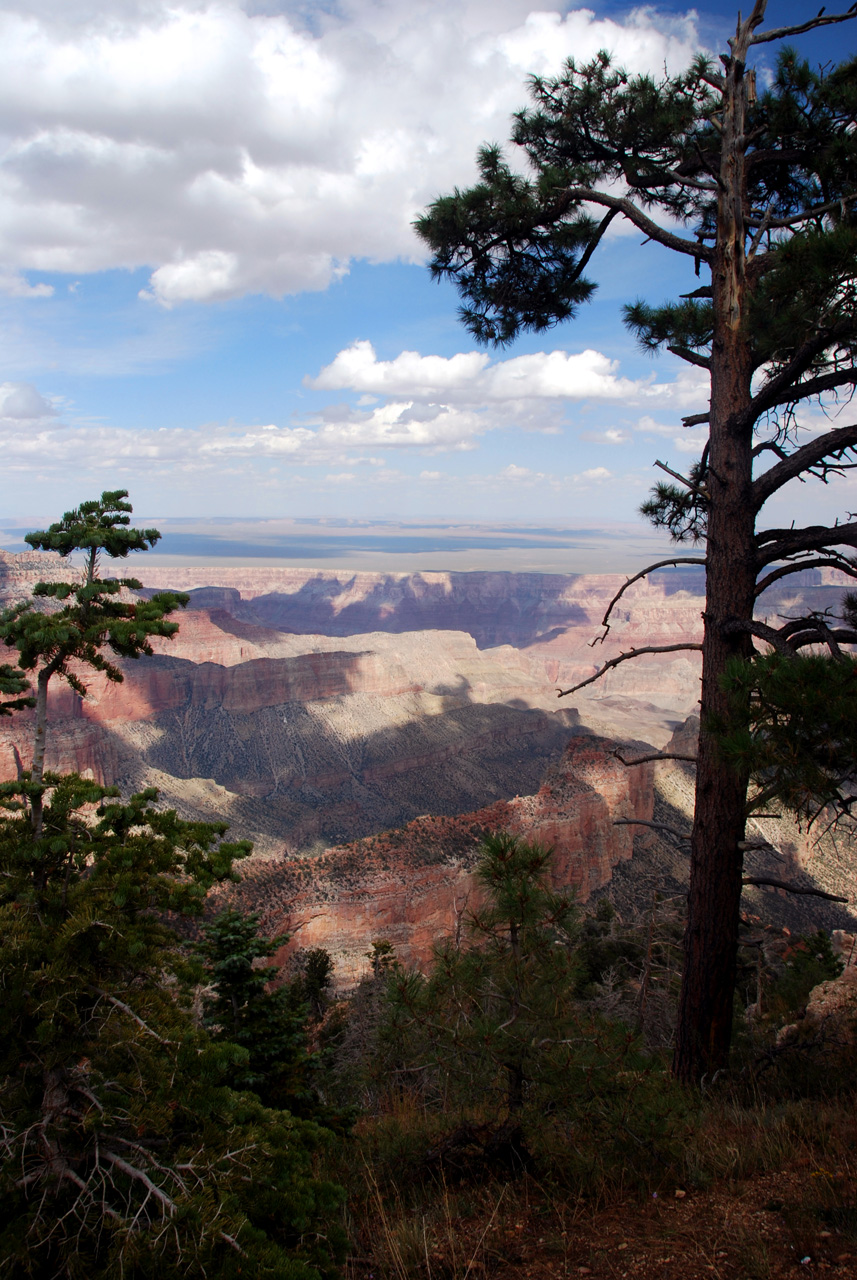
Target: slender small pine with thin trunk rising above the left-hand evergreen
column 71, row 633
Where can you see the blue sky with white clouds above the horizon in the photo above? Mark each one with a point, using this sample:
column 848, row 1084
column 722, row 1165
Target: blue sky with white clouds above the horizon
column 212, row 294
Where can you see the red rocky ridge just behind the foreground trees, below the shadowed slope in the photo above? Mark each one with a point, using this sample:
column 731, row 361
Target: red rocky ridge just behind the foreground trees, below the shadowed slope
column 415, row 885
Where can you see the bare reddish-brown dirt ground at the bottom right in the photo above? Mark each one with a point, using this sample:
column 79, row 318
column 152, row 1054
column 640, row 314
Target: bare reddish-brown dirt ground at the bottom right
column 801, row 1223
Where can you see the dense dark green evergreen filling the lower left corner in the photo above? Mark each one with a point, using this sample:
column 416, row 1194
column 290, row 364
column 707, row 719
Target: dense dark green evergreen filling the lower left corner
column 123, row 1150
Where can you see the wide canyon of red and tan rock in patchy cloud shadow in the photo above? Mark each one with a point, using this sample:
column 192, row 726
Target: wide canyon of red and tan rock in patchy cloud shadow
column 365, row 730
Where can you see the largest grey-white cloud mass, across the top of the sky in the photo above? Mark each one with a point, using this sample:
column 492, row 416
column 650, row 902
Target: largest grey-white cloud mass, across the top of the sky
column 259, row 148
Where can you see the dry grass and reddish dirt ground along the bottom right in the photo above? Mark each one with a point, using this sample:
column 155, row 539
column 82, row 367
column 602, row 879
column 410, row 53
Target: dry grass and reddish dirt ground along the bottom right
column 755, row 1192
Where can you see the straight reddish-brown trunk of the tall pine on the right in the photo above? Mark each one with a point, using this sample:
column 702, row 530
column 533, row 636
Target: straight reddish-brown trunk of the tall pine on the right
column 704, row 1028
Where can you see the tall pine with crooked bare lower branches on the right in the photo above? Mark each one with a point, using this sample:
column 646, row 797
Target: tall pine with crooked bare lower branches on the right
column 759, row 195
